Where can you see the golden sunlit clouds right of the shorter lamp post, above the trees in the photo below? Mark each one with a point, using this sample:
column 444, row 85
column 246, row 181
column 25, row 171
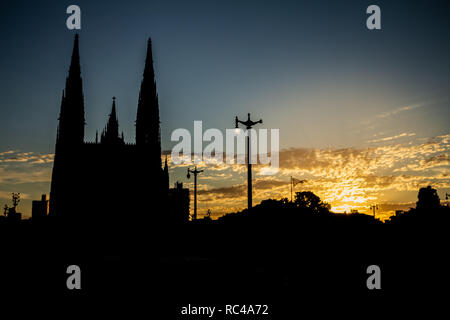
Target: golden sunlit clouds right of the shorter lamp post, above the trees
column 347, row 178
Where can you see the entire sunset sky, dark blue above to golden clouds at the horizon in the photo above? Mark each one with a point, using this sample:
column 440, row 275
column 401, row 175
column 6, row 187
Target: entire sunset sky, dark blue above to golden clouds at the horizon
column 363, row 115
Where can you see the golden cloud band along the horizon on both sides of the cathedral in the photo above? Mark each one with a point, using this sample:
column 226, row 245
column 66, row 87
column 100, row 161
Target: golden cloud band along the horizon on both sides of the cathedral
column 348, row 179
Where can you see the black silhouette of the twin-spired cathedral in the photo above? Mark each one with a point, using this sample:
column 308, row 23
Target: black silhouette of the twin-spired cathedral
column 109, row 180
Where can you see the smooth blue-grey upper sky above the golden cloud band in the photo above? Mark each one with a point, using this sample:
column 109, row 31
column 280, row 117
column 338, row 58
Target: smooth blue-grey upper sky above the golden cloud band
column 310, row 68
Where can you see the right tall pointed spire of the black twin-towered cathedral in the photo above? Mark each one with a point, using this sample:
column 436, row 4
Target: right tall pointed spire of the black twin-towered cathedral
column 147, row 121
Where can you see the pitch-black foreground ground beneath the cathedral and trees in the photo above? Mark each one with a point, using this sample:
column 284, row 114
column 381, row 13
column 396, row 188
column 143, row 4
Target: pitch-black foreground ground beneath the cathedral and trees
column 293, row 268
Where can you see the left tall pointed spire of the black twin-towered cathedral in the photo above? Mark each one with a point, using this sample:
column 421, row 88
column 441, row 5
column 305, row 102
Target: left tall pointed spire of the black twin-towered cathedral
column 71, row 118
